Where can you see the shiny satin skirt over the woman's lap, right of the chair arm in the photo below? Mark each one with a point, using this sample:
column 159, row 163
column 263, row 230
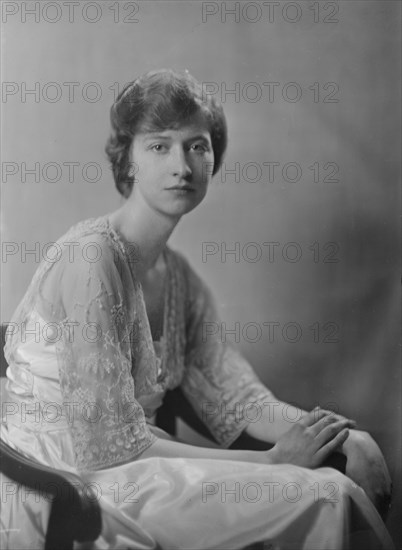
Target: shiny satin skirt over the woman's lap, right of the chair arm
column 198, row 503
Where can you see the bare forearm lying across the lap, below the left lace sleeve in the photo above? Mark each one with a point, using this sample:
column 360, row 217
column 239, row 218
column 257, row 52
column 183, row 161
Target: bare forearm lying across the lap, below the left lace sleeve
column 173, row 449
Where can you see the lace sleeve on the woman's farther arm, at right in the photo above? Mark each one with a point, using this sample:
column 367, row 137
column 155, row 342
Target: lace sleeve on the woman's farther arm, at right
column 218, row 381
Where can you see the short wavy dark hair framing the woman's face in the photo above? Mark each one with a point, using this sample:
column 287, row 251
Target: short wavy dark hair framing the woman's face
column 158, row 101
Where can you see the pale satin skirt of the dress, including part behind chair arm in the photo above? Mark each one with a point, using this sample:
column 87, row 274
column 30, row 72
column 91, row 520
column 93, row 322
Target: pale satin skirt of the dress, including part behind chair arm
column 176, row 503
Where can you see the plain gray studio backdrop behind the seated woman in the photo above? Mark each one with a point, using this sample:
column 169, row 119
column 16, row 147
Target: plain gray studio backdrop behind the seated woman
column 298, row 234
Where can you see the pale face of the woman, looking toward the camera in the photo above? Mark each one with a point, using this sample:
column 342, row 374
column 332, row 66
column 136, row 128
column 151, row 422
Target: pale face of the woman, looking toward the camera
column 173, row 167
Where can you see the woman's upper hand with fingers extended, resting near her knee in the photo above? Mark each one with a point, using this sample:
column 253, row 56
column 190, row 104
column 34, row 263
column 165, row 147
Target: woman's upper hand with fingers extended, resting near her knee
column 308, row 442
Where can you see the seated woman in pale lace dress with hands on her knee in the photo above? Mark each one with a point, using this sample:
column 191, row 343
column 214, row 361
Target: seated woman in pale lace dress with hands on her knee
column 118, row 318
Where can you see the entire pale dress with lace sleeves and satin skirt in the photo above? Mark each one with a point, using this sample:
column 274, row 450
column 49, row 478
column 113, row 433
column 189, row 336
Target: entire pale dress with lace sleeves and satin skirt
column 84, row 379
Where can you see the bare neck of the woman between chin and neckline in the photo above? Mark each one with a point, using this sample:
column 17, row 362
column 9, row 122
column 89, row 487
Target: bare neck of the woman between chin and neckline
column 144, row 228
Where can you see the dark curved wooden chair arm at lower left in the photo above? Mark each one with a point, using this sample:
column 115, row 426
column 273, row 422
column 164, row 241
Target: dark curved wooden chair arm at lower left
column 75, row 512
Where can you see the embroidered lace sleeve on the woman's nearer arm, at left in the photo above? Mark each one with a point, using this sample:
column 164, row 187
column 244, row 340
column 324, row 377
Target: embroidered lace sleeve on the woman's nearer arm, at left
column 94, row 357
